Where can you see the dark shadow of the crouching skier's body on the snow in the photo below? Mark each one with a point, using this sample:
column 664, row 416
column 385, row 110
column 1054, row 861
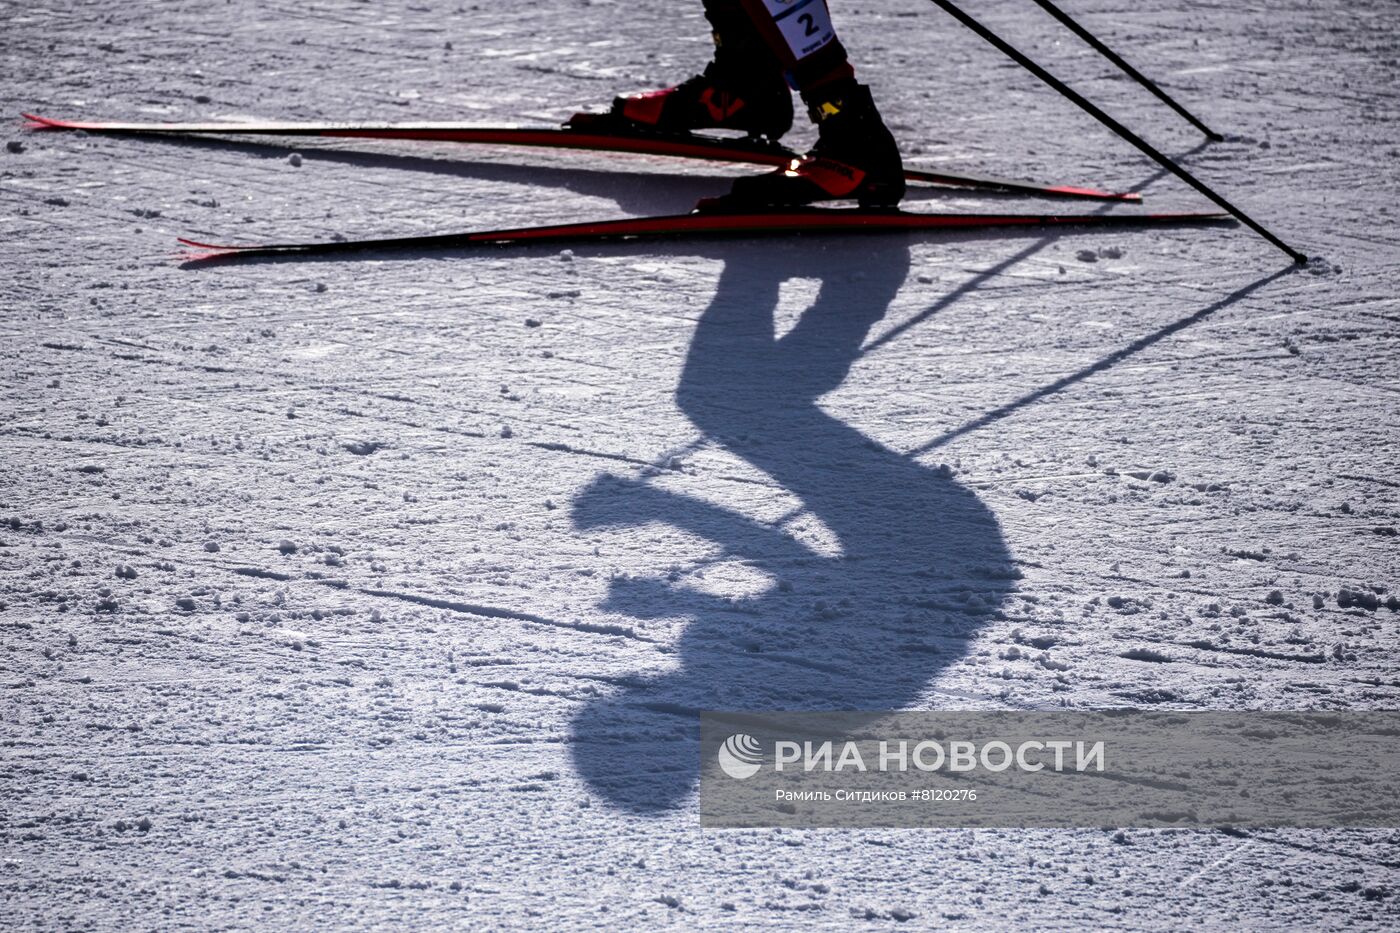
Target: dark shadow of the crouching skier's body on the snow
column 918, row 560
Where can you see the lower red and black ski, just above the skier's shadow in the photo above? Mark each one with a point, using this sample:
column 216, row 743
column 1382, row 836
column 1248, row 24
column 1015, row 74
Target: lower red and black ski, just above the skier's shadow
column 759, row 223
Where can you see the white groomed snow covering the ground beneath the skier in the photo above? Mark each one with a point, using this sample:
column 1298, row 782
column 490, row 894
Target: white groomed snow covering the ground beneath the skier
column 383, row 590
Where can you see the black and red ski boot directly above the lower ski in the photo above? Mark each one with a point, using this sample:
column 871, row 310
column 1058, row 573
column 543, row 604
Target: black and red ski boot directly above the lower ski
column 856, row 156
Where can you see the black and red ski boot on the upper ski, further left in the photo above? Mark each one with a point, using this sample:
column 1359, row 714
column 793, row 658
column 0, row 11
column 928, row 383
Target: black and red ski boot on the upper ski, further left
column 726, row 96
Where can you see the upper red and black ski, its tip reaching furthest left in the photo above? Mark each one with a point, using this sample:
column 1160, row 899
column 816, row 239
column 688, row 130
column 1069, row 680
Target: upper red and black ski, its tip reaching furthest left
column 580, row 134
